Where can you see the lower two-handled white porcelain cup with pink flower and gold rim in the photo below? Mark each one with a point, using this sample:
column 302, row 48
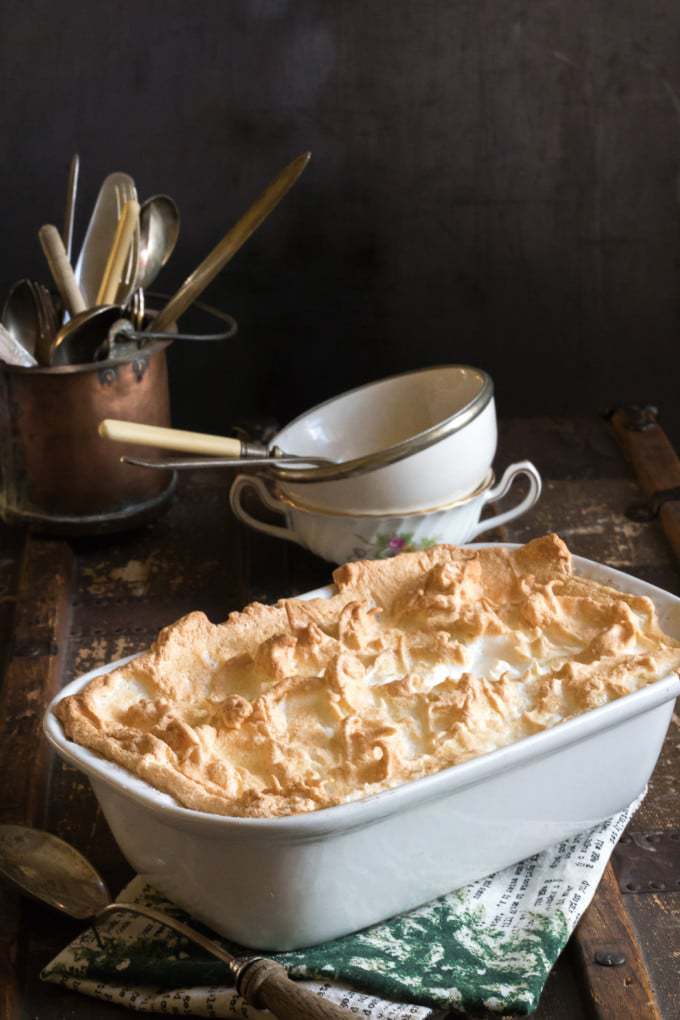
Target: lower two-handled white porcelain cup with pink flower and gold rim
column 341, row 539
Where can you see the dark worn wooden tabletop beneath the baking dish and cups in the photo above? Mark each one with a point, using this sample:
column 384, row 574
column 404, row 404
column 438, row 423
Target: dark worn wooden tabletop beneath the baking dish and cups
column 67, row 607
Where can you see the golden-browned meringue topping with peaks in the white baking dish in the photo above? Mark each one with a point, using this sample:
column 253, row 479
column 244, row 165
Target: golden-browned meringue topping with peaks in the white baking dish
column 416, row 664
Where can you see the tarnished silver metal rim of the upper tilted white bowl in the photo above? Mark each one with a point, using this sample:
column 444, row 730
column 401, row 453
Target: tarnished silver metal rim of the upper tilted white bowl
column 391, row 455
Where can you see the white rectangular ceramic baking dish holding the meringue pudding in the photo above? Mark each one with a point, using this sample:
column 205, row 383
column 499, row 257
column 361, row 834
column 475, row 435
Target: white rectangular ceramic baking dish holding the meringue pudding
column 289, row 883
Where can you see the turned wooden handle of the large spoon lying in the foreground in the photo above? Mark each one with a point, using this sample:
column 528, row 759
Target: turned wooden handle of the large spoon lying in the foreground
column 266, row 985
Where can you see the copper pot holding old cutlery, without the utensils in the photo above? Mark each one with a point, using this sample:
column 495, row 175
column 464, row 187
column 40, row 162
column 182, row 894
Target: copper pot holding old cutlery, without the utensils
column 57, row 474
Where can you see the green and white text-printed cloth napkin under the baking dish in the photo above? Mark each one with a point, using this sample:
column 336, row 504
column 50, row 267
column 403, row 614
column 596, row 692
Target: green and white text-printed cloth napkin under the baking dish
column 490, row 946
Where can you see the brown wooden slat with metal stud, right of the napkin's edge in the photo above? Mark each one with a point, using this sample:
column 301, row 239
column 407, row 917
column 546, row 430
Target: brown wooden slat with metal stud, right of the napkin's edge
column 625, row 992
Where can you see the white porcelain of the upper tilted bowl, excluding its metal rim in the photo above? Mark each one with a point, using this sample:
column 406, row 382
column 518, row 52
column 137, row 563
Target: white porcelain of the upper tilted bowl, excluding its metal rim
column 383, row 415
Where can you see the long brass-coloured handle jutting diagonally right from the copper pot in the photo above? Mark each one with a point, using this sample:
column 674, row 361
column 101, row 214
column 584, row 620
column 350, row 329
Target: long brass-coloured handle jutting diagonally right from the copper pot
column 231, row 243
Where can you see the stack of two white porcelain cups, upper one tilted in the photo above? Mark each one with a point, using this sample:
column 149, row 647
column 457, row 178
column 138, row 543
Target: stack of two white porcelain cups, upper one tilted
column 409, row 467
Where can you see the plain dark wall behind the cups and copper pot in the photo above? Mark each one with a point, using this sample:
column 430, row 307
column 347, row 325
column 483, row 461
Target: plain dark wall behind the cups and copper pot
column 494, row 182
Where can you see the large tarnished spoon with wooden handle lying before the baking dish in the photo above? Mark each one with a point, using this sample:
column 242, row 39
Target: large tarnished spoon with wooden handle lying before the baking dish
column 54, row 872
